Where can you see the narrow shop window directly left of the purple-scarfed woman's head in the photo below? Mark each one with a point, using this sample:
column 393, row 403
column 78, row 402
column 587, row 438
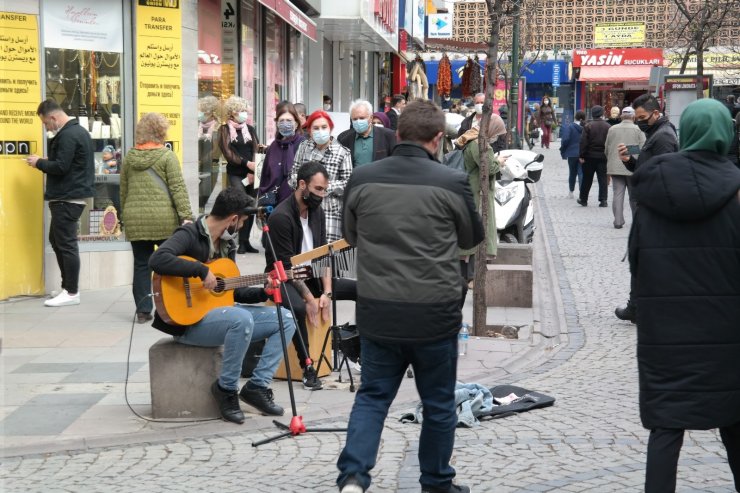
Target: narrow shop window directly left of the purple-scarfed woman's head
column 275, row 63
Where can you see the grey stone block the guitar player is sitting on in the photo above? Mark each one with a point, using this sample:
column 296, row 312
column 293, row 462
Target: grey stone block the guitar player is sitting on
column 181, row 377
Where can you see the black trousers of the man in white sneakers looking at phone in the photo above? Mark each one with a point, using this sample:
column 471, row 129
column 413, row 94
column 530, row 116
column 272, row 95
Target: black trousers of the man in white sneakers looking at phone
column 63, row 239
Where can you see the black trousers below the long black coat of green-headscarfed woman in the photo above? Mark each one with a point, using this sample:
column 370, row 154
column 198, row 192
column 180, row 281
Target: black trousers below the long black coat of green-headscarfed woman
column 664, row 447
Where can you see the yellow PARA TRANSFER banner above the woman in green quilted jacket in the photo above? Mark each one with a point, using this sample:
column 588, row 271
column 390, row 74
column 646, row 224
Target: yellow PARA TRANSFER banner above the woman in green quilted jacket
column 159, row 65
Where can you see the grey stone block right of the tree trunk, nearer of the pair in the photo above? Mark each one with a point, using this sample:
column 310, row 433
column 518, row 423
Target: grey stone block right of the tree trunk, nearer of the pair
column 509, row 285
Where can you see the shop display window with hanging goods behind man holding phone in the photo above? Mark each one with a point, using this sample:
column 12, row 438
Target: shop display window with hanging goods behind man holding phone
column 87, row 85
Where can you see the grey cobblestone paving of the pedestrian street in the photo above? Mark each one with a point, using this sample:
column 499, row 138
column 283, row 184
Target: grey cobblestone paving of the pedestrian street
column 590, row 441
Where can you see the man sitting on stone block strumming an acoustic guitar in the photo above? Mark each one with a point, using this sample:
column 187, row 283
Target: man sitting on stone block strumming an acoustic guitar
column 209, row 238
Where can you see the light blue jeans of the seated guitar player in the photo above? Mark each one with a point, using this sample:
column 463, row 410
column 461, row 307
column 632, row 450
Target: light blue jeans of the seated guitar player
column 234, row 327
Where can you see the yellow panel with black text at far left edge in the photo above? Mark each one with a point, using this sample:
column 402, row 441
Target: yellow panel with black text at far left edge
column 21, row 187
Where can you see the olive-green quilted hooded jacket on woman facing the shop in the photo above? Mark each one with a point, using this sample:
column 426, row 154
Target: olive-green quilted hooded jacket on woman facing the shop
column 154, row 198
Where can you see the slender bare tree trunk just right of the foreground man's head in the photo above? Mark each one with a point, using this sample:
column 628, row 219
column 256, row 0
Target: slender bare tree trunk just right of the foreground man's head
column 495, row 9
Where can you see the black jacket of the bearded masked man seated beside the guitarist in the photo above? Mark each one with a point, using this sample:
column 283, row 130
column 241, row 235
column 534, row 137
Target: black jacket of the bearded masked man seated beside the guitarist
column 286, row 231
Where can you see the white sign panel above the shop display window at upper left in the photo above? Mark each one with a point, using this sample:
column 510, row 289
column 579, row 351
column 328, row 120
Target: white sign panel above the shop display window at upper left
column 79, row 24
